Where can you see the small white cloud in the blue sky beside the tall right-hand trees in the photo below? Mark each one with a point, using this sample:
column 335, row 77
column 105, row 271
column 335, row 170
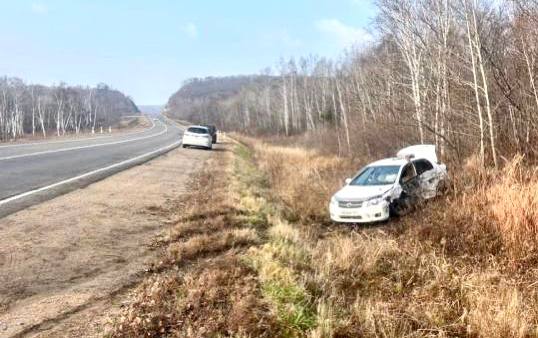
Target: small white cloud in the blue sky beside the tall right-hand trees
column 344, row 35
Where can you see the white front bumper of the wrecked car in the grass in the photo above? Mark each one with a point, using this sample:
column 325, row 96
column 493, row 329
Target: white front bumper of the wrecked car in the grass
column 364, row 214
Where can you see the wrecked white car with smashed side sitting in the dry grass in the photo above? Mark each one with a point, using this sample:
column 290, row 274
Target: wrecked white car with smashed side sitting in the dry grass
column 392, row 186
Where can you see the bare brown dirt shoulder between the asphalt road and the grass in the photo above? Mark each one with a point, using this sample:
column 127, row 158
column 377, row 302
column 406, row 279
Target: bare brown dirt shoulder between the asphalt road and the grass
column 73, row 252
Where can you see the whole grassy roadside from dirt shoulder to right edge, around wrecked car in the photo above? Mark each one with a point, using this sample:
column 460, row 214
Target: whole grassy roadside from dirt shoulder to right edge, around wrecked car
column 253, row 255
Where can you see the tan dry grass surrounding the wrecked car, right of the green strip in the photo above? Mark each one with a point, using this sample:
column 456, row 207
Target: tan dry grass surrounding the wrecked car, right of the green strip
column 454, row 268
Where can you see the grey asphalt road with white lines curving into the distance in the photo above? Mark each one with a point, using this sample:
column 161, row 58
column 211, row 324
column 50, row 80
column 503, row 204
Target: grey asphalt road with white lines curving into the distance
column 34, row 172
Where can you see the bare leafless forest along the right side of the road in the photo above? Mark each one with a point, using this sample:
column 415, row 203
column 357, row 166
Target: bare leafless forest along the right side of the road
column 458, row 73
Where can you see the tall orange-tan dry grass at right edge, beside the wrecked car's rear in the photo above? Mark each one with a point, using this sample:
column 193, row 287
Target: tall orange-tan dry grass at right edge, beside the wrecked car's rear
column 488, row 213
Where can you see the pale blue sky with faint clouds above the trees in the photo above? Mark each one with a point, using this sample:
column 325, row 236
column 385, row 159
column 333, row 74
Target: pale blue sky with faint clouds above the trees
column 147, row 48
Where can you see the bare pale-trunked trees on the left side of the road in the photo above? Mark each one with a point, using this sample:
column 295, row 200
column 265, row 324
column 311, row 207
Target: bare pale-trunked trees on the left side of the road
column 36, row 109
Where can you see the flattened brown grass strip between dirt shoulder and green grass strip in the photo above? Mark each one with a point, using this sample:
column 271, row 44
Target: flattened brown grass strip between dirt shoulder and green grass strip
column 202, row 286
